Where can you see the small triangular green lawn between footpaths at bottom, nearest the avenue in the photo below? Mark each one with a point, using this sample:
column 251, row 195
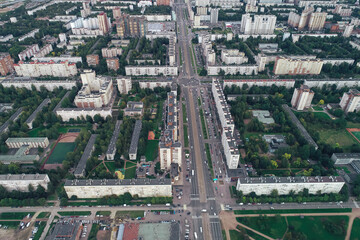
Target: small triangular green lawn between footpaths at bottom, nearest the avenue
column 274, row 227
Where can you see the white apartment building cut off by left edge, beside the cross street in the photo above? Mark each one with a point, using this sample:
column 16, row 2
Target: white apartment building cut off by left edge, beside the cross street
column 21, row 182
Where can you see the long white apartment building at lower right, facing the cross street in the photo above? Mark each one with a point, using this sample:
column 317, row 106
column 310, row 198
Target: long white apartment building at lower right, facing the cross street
column 283, row 185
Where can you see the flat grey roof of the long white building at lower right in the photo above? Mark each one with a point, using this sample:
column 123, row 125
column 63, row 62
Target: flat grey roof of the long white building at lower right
column 265, row 180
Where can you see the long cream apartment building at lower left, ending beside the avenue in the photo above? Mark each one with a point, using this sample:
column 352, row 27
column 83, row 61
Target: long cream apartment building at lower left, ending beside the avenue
column 97, row 188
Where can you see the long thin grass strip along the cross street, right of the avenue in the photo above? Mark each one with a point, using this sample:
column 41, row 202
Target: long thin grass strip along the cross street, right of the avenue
column 329, row 210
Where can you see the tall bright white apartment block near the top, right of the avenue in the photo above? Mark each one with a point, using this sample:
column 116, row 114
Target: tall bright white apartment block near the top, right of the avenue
column 262, row 24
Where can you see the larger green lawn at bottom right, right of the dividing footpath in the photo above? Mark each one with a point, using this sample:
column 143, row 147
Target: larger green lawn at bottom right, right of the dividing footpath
column 314, row 227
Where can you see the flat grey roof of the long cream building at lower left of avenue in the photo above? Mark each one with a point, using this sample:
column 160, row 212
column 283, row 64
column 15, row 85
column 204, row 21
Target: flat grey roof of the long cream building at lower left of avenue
column 110, row 182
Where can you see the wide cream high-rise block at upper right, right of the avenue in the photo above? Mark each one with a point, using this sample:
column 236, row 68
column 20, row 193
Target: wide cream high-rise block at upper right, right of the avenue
column 291, row 66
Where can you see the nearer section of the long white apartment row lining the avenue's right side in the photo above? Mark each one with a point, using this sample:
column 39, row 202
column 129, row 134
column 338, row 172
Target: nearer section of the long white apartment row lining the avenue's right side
column 231, row 150
